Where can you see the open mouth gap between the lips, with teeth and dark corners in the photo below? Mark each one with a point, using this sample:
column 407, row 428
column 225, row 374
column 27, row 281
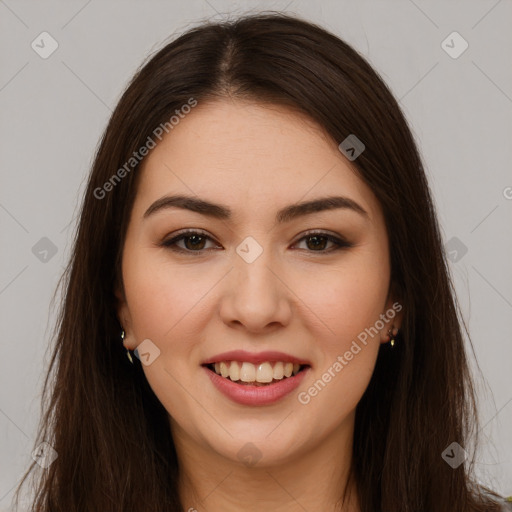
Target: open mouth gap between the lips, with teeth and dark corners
column 257, row 375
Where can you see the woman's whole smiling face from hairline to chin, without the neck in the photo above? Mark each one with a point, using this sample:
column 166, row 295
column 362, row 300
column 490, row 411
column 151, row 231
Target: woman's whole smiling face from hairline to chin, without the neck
column 256, row 277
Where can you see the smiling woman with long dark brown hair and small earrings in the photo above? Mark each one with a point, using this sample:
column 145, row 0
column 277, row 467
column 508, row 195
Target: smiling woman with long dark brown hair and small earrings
column 258, row 233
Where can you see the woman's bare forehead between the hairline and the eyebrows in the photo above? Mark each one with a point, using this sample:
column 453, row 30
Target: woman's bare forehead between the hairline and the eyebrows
column 251, row 156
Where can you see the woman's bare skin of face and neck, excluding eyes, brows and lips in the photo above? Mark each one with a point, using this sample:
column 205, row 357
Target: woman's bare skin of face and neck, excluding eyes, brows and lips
column 294, row 298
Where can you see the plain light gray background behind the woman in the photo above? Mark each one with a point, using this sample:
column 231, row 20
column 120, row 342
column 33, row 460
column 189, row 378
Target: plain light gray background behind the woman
column 54, row 111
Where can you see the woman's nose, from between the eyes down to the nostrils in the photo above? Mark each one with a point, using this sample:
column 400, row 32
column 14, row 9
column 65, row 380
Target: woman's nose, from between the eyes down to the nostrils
column 256, row 296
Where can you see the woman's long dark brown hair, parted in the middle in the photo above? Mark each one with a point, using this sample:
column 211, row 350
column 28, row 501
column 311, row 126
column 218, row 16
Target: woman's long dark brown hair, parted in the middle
column 111, row 434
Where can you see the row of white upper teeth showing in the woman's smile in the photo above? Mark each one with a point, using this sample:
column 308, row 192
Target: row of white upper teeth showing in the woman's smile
column 263, row 373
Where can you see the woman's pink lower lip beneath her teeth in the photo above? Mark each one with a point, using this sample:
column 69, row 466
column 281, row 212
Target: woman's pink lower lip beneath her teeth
column 256, row 395
